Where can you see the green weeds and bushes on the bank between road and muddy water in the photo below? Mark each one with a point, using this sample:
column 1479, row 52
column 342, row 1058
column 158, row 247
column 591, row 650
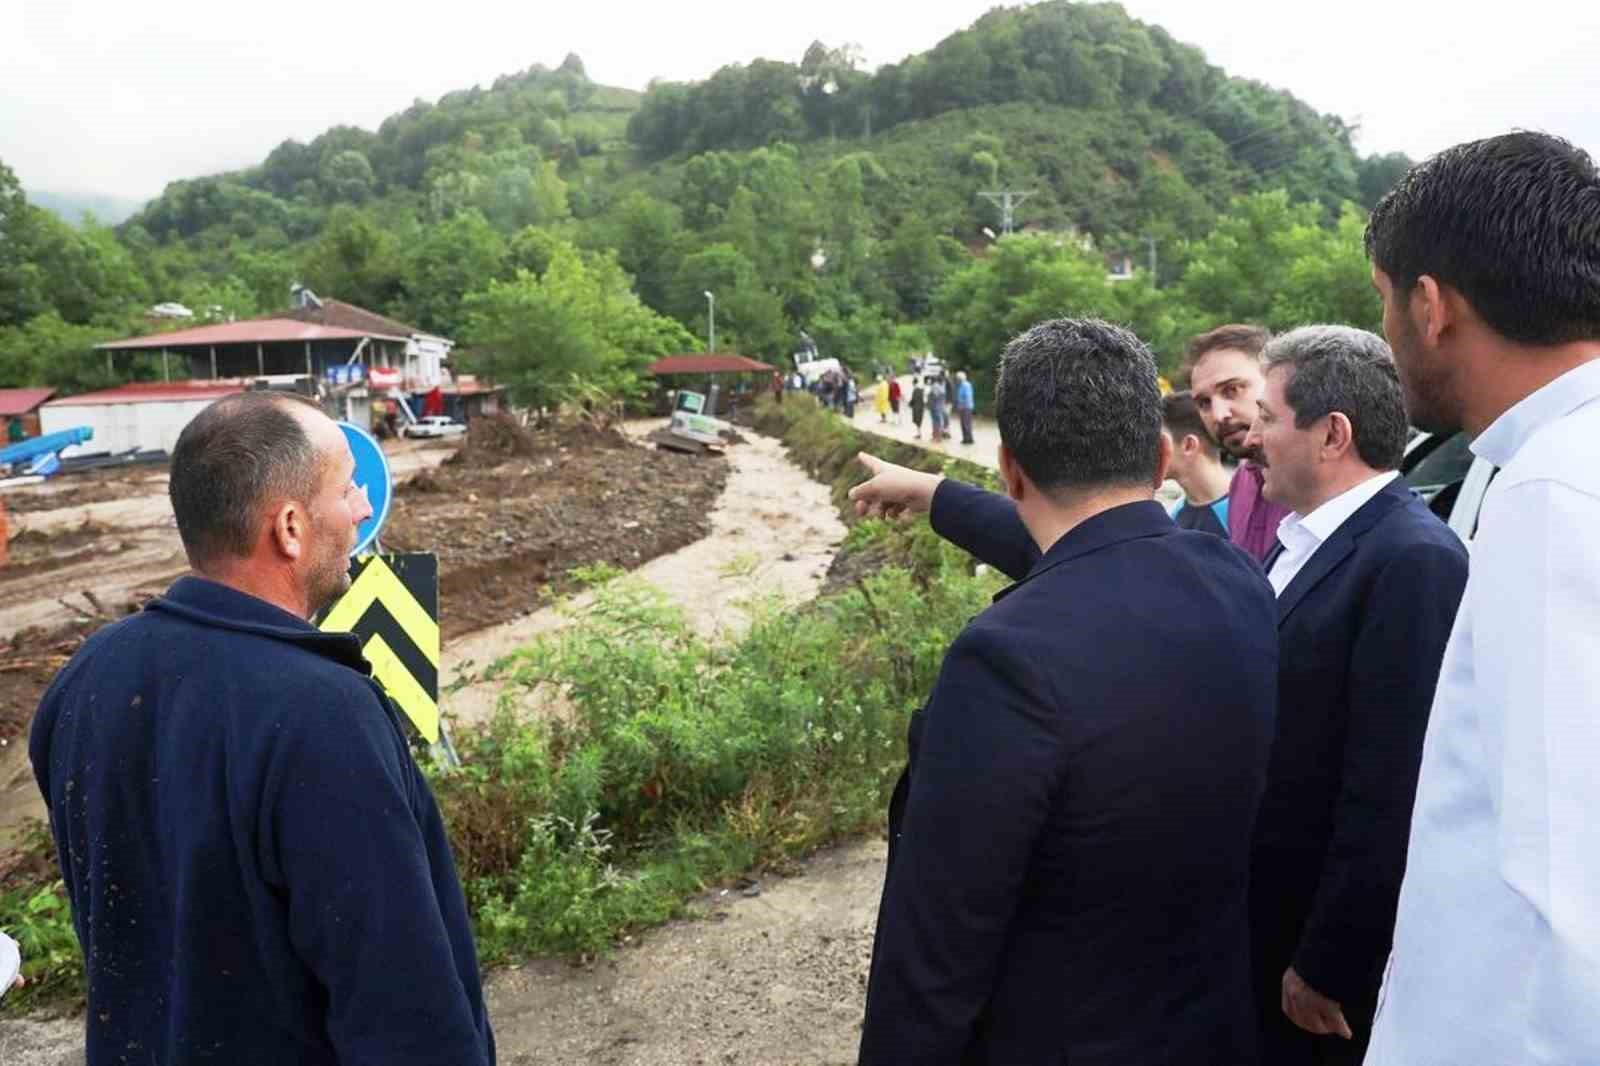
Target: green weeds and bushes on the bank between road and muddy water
column 660, row 764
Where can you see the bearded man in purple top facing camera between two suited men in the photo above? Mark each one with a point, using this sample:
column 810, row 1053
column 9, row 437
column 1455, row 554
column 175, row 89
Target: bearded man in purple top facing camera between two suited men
column 1226, row 380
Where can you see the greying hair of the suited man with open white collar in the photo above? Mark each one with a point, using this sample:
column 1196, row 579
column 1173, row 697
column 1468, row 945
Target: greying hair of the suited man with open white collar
column 1353, row 372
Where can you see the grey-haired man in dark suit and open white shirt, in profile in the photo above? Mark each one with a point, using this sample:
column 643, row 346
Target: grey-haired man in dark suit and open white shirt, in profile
column 1367, row 582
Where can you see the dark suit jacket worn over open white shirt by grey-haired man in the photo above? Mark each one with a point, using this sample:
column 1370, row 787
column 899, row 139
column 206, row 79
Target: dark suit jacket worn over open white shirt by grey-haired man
column 1362, row 633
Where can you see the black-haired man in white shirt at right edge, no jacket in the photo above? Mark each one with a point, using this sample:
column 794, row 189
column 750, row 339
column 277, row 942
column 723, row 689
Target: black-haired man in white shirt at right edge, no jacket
column 1489, row 263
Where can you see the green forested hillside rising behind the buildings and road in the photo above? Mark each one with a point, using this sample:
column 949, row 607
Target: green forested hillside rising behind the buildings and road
column 567, row 233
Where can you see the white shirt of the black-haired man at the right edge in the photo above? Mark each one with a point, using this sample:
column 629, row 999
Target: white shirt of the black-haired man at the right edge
column 1497, row 955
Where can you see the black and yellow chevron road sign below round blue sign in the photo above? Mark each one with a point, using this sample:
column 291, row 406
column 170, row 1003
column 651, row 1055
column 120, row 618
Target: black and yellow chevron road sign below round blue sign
column 393, row 606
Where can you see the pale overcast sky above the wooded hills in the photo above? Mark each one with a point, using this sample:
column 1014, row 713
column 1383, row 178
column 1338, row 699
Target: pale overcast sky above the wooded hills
column 106, row 97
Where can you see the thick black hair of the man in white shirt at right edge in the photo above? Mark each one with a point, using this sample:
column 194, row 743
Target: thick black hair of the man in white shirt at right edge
column 1513, row 223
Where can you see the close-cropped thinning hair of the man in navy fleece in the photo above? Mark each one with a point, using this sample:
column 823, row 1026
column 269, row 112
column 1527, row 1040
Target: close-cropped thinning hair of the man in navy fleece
column 233, row 460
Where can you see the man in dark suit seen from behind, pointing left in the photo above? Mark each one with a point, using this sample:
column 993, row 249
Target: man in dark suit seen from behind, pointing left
column 1070, row 854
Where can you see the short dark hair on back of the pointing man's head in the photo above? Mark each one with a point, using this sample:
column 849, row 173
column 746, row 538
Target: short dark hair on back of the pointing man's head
column 1079, row 406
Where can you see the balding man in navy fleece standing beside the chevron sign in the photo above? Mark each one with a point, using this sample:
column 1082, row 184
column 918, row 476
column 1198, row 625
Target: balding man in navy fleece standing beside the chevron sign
column 258, row 872
